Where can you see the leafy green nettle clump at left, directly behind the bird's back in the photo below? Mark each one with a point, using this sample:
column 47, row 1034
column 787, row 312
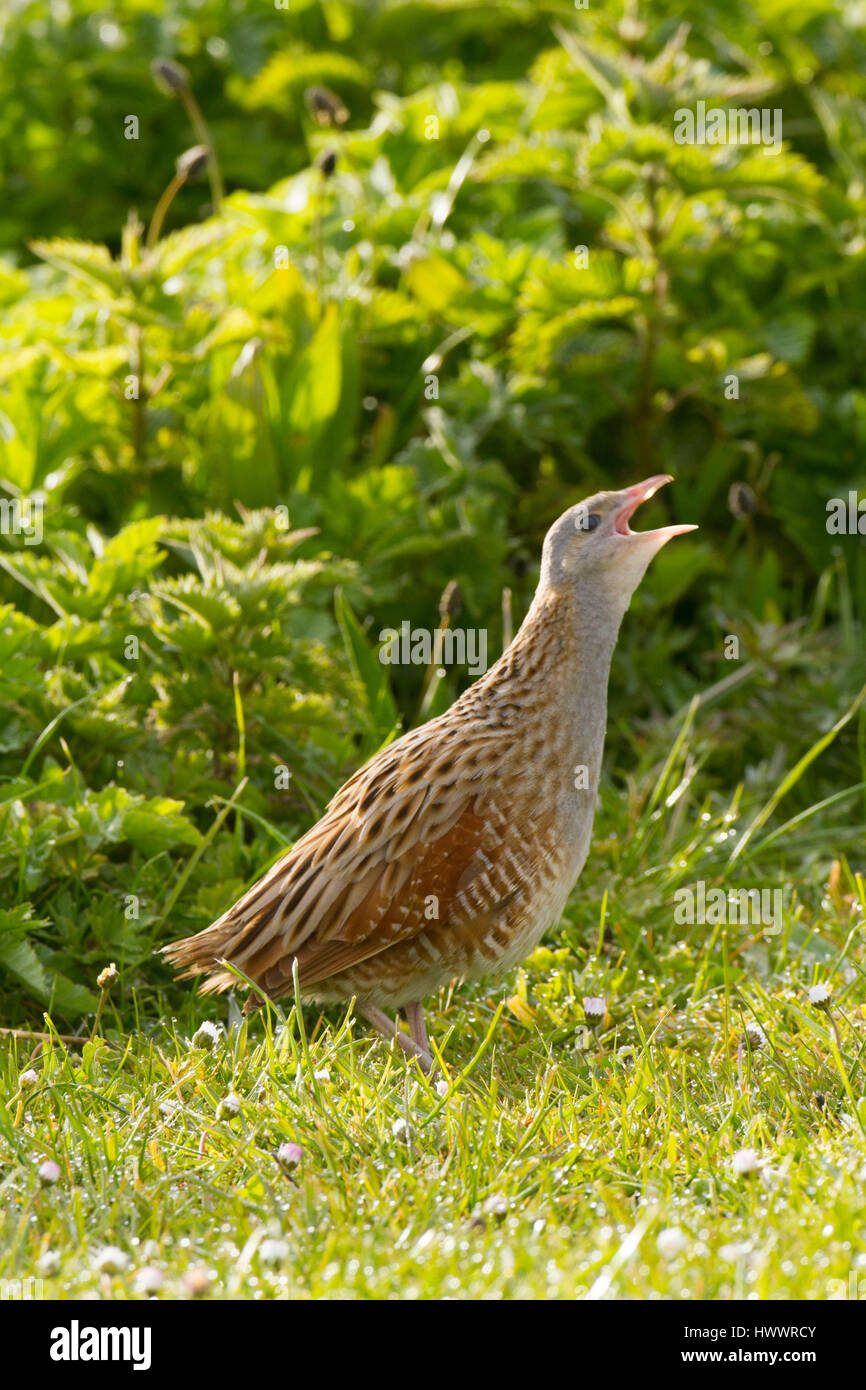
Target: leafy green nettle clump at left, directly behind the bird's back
column 147, row 683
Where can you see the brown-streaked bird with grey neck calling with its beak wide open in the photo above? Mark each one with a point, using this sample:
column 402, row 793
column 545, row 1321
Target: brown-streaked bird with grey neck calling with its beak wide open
column 455, row 849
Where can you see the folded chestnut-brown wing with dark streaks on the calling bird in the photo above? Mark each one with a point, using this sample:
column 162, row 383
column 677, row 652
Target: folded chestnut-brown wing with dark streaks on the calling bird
column 418, row 826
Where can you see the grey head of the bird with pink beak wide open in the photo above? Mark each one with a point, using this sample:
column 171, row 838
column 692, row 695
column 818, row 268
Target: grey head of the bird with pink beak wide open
column 593, row 547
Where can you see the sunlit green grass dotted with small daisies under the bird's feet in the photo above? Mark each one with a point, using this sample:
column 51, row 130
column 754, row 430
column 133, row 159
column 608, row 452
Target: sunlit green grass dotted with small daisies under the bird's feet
column 546, row 1160
